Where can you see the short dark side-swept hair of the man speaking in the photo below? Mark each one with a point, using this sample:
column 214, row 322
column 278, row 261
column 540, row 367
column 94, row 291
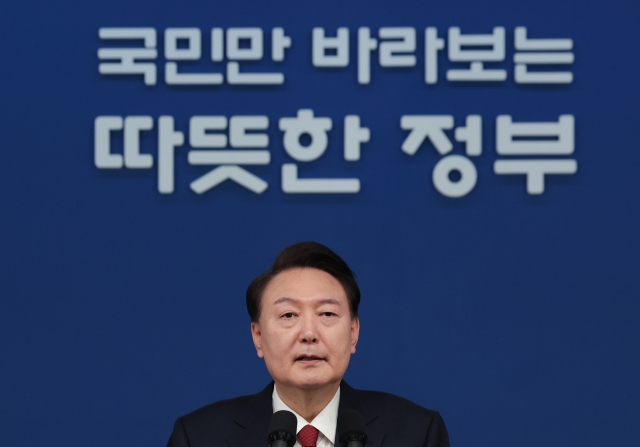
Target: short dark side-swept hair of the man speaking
column 305, row 255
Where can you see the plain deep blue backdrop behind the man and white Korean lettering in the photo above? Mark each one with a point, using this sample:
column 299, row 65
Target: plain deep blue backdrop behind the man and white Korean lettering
column 515, row 315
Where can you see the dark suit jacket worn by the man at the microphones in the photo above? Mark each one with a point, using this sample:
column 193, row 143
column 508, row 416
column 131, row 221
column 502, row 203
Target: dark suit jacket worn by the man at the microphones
column 244, row 421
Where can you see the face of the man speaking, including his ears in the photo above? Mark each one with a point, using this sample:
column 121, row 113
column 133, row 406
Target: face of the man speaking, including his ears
column 305, row 332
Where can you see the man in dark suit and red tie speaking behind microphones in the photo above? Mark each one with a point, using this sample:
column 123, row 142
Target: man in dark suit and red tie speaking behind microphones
column 304, row 323
